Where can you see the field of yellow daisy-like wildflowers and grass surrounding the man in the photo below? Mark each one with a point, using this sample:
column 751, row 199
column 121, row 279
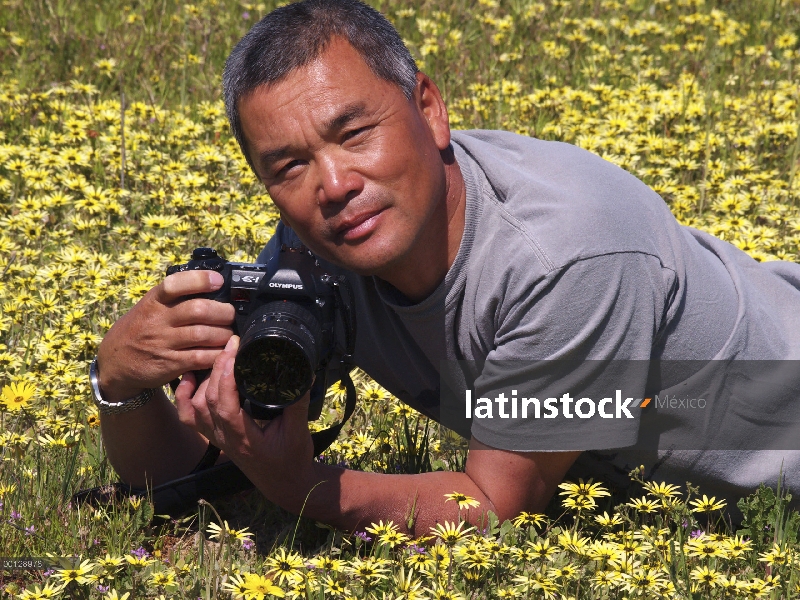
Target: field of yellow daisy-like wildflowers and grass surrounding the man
column 115, row 161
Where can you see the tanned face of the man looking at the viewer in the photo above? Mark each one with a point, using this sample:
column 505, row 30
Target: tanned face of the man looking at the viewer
column 353, row 165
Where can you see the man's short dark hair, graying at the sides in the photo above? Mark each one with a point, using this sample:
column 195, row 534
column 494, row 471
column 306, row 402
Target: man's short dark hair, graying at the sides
column 296, row 34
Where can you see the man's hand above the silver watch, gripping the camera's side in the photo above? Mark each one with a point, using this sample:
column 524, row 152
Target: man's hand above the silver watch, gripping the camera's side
column 164, row 335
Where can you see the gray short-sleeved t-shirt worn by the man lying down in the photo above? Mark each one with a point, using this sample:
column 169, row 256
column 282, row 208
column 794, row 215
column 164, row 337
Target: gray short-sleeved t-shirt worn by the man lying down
column 567, row 257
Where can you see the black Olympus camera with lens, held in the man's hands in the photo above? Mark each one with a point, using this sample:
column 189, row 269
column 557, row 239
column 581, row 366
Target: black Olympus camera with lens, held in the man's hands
column 286, row 317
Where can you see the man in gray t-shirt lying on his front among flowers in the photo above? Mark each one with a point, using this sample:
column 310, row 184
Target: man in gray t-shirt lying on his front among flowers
column 475, row 246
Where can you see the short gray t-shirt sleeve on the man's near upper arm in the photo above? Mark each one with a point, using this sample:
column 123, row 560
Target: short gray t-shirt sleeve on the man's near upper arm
column 585, row 331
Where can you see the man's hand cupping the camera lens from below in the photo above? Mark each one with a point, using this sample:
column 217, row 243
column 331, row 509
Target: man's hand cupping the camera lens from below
column 277, row 456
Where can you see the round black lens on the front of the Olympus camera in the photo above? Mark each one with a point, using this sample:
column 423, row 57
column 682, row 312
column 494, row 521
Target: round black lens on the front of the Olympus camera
column 278, row 354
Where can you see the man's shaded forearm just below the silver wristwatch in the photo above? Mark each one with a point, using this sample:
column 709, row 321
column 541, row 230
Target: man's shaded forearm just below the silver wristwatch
column 150, row 445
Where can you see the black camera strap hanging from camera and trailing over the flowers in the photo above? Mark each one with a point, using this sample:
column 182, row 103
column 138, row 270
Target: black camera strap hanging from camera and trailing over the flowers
column 179, row 496
